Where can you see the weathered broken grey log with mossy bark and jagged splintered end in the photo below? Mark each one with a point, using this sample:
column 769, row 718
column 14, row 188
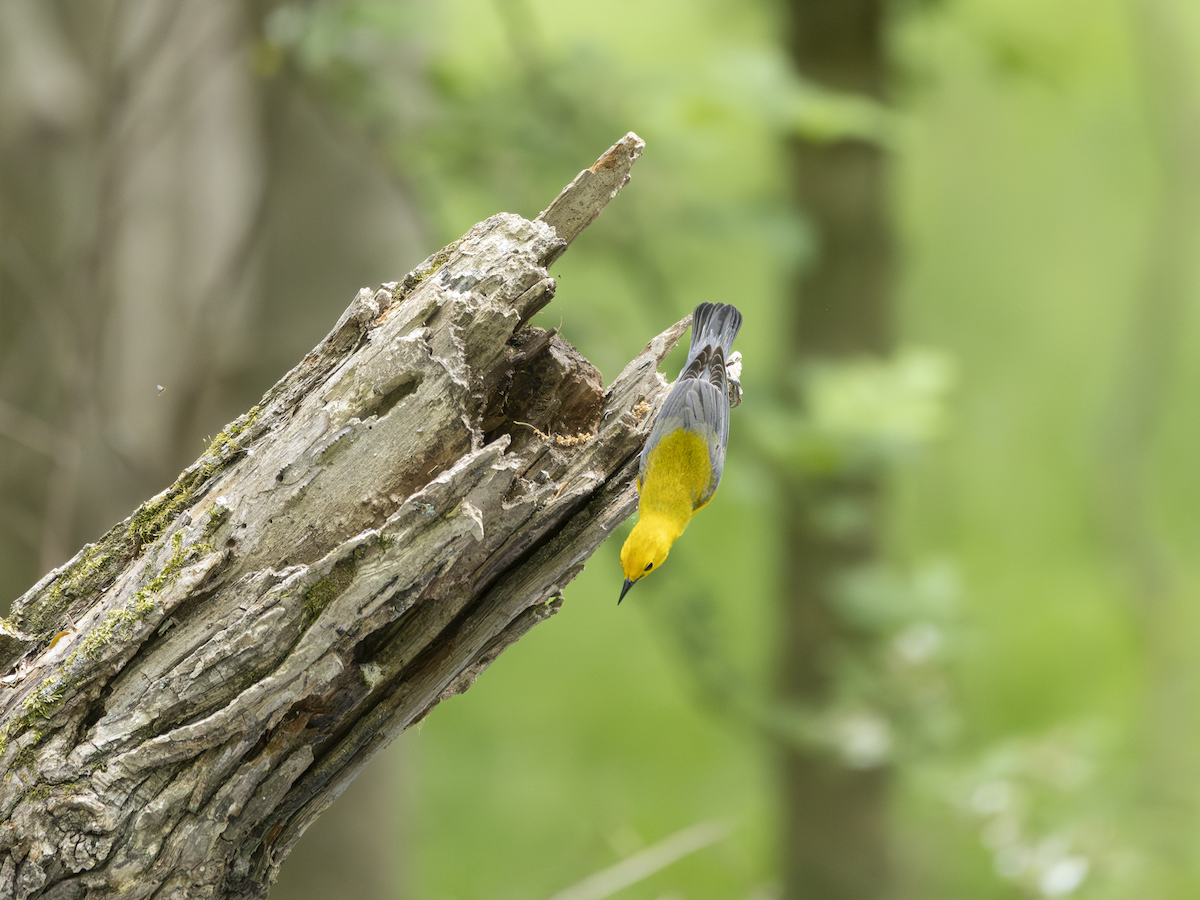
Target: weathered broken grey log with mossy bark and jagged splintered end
column 401, row 507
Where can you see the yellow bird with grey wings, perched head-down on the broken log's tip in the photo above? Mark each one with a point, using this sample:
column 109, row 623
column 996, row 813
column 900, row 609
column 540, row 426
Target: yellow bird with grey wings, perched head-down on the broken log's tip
column 685, row 455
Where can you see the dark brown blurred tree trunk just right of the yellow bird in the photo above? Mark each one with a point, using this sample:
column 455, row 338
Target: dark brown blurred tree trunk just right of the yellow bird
column 835, row 843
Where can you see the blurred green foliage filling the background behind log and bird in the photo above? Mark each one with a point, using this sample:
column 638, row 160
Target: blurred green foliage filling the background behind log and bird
column 1015, row 692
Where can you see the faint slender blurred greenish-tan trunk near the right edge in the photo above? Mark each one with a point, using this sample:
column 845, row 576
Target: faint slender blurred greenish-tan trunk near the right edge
column 1161, row 309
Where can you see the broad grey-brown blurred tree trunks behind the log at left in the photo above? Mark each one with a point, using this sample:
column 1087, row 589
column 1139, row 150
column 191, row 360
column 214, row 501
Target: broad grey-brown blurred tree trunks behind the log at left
column 166, row 219
